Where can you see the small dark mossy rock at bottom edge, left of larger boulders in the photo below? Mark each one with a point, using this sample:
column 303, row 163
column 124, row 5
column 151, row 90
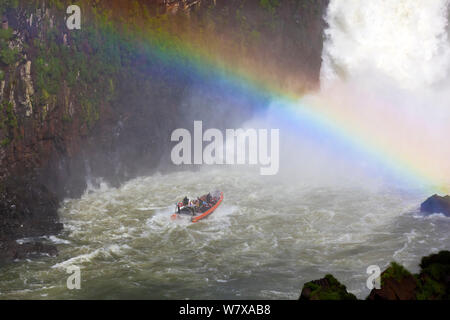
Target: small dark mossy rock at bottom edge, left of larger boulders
column 327, row 288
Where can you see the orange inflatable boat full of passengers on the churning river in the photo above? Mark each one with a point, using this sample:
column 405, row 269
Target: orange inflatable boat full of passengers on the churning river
column 199, row 212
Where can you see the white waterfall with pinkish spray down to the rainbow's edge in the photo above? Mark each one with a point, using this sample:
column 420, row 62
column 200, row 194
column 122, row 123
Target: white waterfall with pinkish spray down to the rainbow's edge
column 391, row 60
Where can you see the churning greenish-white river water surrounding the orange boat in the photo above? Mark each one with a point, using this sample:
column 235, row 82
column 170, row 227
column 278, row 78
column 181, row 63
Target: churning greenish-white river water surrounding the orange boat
column 267, row 238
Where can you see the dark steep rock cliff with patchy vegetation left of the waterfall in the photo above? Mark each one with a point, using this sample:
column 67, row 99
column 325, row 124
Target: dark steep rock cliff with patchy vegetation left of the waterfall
column 76, row 105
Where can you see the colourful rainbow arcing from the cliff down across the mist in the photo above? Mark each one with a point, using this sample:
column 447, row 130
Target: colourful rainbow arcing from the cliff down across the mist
column 376, row 132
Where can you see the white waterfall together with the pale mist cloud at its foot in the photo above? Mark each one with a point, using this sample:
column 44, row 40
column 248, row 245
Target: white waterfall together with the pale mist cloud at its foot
column 382, row 108
